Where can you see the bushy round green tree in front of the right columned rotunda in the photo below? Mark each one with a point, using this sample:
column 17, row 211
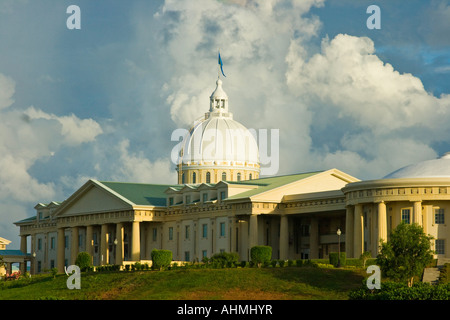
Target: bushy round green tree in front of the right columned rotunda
column 406, row 254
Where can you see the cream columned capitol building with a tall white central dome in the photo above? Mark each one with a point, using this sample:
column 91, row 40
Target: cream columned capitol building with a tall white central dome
column 221, row 204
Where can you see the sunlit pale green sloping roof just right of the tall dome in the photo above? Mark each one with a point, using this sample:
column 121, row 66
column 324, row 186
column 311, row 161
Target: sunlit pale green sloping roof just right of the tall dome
column 269, row 183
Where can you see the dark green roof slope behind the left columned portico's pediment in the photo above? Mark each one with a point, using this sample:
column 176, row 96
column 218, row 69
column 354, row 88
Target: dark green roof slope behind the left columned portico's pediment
column 141, row 194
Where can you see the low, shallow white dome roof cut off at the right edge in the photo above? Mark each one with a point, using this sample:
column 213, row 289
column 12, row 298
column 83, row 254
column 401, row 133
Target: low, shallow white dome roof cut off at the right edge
column 426, row 169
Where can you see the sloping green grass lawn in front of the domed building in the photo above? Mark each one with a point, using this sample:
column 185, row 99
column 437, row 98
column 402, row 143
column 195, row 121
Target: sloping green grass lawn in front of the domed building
column 289, row 283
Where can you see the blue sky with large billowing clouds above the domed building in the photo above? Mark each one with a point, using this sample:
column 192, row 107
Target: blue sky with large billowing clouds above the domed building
column 101, row 102
